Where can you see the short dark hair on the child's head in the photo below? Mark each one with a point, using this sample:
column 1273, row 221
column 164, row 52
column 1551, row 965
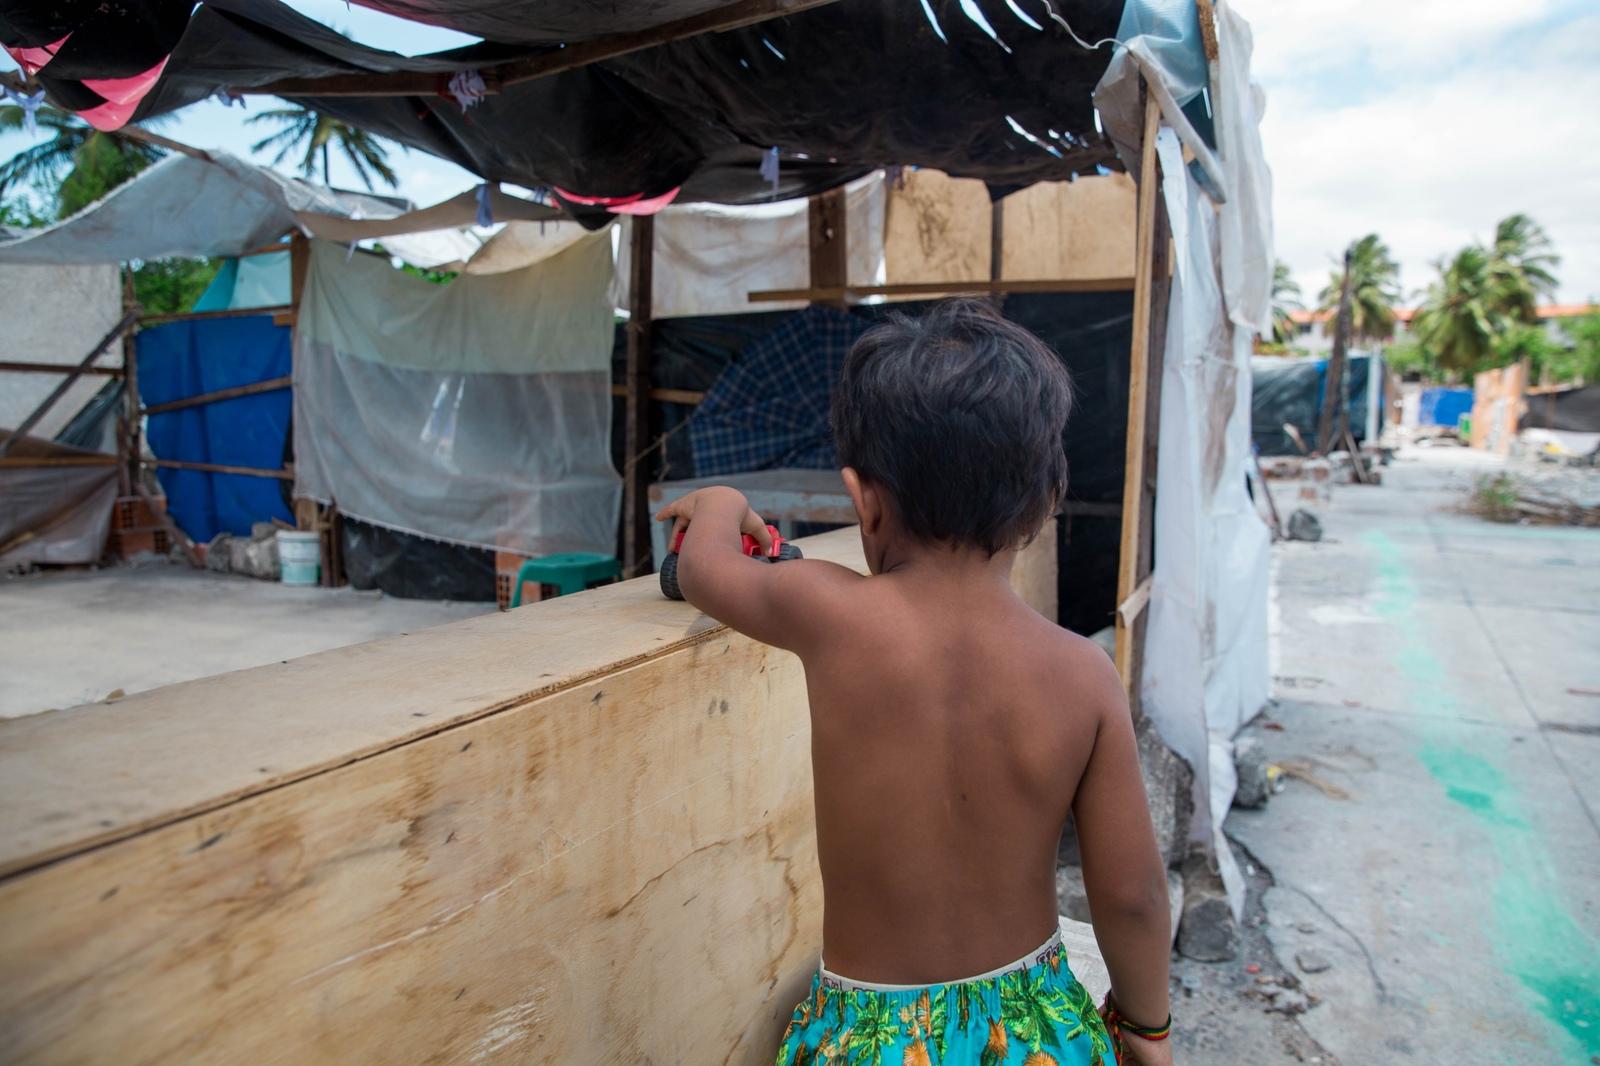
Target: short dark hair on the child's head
column 959, row 417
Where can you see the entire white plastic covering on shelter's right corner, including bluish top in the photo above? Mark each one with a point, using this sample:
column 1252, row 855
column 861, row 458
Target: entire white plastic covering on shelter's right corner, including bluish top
column 1206, row 659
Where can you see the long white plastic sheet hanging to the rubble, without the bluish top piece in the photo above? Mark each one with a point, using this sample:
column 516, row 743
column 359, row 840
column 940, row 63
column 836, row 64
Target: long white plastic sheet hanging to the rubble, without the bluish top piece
column 1207, row 643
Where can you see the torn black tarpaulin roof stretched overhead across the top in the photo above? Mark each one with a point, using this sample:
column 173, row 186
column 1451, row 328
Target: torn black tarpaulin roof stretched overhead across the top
column 977, row 89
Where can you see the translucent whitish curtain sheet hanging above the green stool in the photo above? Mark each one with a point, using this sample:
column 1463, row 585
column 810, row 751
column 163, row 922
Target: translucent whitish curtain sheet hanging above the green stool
column 476, row 412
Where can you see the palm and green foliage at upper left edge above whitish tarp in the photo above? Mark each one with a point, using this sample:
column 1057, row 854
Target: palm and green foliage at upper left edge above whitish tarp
column 94, row 162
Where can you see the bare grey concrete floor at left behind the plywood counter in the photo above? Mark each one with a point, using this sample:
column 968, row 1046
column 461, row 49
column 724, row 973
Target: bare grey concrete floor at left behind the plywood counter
column 70, row 638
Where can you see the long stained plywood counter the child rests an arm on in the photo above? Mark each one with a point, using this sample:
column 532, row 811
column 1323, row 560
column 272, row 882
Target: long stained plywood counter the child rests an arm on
column 601, row 848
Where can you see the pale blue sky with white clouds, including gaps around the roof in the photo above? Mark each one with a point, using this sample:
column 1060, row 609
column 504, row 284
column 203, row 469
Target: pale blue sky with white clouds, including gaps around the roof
column 1423, row 121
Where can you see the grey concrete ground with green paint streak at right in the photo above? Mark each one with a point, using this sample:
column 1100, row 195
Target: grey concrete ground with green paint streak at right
column 1431, row 872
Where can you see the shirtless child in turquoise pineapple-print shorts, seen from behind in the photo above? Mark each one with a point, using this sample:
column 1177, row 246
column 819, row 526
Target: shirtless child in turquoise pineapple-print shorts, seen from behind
column 953, row 727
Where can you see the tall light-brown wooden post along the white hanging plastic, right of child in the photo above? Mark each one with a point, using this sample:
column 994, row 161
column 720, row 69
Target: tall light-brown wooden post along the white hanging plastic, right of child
column 1132, row 588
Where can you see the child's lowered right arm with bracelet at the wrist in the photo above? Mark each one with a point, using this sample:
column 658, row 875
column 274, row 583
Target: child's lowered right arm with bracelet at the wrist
column 1122, row 870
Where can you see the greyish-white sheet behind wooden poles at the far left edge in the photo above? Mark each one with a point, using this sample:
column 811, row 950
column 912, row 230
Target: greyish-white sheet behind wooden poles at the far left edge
column 55, row 315
